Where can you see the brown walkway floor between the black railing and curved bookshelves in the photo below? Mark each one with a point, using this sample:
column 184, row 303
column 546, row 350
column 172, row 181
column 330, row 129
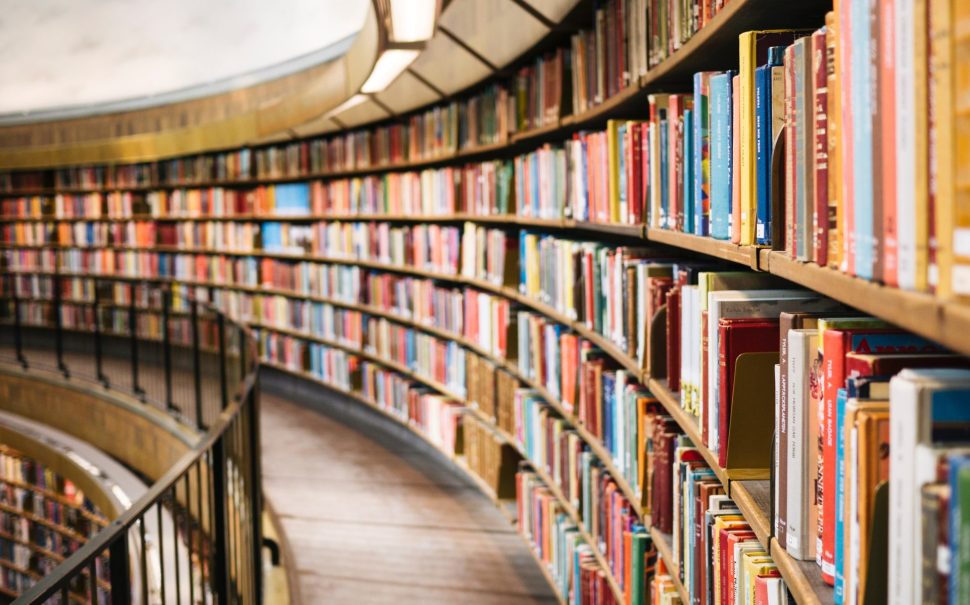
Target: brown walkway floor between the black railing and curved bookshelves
column 374, row 517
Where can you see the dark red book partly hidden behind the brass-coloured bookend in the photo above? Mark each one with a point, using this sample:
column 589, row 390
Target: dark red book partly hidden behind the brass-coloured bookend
column 738, row 336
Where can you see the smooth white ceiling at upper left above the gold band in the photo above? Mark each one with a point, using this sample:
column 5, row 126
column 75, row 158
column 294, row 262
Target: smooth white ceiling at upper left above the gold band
column 114, row 53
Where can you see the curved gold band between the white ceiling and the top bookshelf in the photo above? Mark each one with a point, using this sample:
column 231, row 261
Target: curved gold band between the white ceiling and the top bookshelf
column 222, row 121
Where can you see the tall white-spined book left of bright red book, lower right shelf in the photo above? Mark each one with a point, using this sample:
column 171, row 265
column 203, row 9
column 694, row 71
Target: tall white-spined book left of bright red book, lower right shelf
column 802, row 516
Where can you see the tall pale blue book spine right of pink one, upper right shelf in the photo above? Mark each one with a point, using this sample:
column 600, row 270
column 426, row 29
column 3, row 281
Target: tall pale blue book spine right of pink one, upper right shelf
column 861, row 104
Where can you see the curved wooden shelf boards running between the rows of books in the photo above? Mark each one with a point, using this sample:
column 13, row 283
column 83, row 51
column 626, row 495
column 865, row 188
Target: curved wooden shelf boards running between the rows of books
column 714, row 46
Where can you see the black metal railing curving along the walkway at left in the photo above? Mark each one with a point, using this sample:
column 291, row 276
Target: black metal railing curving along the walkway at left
column 195, row 535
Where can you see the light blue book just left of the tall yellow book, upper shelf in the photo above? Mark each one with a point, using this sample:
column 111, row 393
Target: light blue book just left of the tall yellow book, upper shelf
column 721, row 155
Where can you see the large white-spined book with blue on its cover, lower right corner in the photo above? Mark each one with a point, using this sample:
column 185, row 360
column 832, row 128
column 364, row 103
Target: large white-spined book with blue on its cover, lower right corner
column 912, row 397
